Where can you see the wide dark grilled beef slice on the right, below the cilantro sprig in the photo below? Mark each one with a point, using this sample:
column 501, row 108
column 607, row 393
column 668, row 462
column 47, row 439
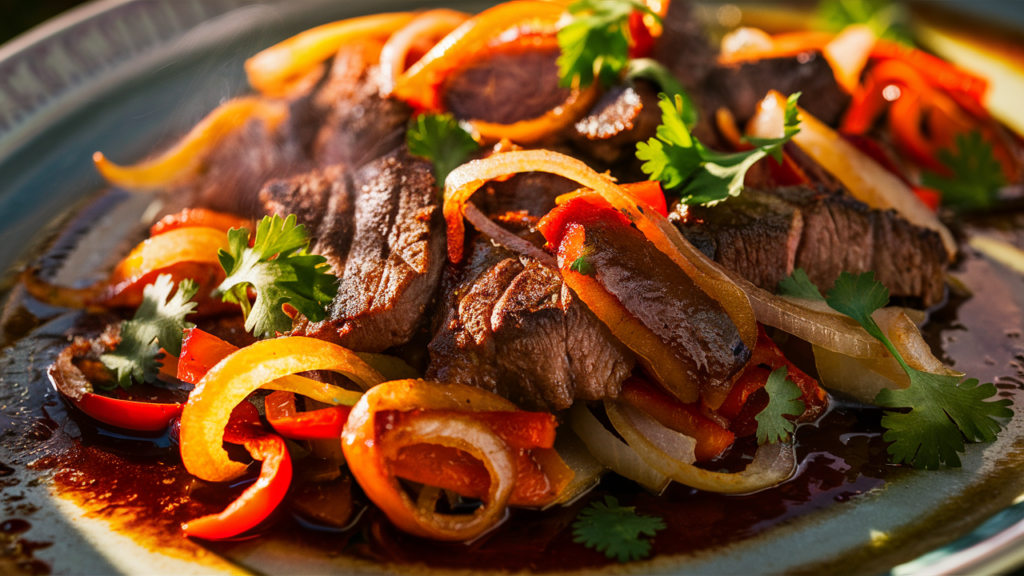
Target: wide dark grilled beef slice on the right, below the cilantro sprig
column 764, row 236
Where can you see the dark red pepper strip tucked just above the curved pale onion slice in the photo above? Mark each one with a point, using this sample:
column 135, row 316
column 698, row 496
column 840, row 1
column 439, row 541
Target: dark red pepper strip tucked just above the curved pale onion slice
column 687, row 419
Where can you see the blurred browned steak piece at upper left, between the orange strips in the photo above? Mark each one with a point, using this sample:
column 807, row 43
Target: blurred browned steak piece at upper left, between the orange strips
column 359, row 126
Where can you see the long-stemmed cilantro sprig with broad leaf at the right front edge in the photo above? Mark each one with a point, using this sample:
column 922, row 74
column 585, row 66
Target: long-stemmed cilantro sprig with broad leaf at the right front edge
column 943, row 409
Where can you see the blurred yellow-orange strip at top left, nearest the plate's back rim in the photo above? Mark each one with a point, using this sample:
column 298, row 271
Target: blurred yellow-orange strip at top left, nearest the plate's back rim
column 275, row 69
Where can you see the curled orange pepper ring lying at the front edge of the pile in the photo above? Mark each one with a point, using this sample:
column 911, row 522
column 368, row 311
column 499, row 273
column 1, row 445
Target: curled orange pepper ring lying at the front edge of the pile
column 373, row 447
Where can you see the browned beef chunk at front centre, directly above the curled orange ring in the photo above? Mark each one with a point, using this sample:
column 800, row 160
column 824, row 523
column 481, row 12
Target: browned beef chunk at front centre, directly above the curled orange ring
column 510, row 326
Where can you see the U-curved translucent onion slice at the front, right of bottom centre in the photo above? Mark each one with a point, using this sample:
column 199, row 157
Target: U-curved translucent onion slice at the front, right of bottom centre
column 665, row 451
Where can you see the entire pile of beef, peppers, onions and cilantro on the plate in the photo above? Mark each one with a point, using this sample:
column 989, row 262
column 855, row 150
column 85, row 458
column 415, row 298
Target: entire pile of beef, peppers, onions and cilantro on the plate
column 458, row 264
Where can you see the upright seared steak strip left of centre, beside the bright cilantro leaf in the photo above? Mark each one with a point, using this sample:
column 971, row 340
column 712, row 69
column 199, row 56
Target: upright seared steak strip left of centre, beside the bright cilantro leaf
column 395, row 259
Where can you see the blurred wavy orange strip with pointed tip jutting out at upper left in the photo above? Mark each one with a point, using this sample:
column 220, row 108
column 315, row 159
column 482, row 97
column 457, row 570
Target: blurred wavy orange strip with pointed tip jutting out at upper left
column 186, row 158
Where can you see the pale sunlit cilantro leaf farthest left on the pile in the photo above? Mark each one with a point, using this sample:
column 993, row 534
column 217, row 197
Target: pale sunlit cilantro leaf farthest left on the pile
column 158, row 323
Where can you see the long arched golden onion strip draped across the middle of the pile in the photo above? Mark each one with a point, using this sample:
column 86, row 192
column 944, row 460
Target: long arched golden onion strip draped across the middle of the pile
column 466, row 180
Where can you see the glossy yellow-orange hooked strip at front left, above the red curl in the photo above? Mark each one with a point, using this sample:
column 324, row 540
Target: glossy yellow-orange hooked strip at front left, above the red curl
column 264, row 364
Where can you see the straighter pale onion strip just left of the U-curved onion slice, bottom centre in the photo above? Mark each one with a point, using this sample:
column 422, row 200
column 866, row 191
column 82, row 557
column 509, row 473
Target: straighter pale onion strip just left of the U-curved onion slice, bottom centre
column 613, row 452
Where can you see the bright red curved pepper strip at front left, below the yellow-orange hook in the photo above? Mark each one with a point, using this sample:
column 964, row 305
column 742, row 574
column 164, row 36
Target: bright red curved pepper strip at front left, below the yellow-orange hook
column 257, row 504
